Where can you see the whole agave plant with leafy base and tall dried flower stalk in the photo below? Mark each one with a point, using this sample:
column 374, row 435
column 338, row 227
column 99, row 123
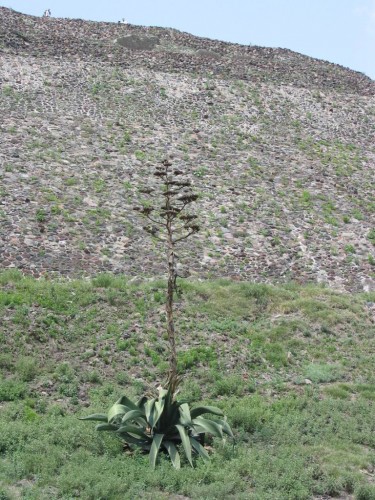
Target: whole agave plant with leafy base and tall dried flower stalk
column 163, row 422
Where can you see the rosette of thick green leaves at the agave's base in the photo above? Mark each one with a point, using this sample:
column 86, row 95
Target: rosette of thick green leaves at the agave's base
column 159, row 423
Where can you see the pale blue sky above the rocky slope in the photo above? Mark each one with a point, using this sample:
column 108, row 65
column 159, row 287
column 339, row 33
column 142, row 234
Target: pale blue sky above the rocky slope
column 339, row 31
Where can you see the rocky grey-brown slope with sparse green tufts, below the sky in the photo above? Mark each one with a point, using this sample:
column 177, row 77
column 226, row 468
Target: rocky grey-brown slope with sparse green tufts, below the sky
column 280, row 146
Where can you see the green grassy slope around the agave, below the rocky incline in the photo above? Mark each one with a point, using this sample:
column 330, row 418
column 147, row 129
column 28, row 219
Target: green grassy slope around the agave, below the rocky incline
column 291, row 366
